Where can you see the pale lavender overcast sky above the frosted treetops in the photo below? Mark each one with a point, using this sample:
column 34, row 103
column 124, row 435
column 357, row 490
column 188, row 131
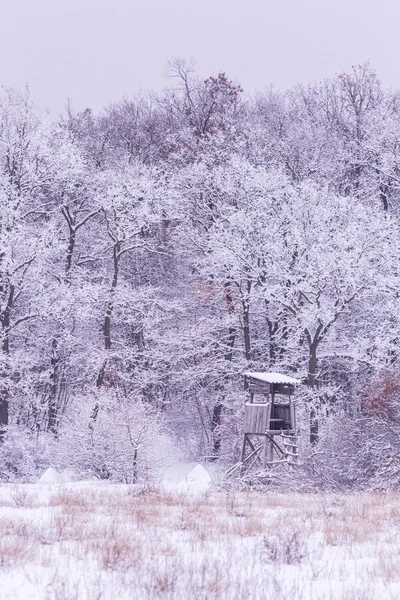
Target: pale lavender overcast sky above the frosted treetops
column 95, row 51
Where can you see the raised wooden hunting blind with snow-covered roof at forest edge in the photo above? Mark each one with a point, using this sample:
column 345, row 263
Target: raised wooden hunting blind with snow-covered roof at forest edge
column 269, row 427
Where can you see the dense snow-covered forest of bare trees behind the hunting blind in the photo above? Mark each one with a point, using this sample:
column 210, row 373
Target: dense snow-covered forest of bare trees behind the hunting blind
column 152, row 253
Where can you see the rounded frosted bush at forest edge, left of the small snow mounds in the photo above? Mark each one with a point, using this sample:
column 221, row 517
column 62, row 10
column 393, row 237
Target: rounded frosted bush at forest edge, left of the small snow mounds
column 111, row 437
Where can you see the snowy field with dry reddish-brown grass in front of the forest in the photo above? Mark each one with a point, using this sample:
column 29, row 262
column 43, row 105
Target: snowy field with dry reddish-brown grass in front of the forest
column 97, row 541
